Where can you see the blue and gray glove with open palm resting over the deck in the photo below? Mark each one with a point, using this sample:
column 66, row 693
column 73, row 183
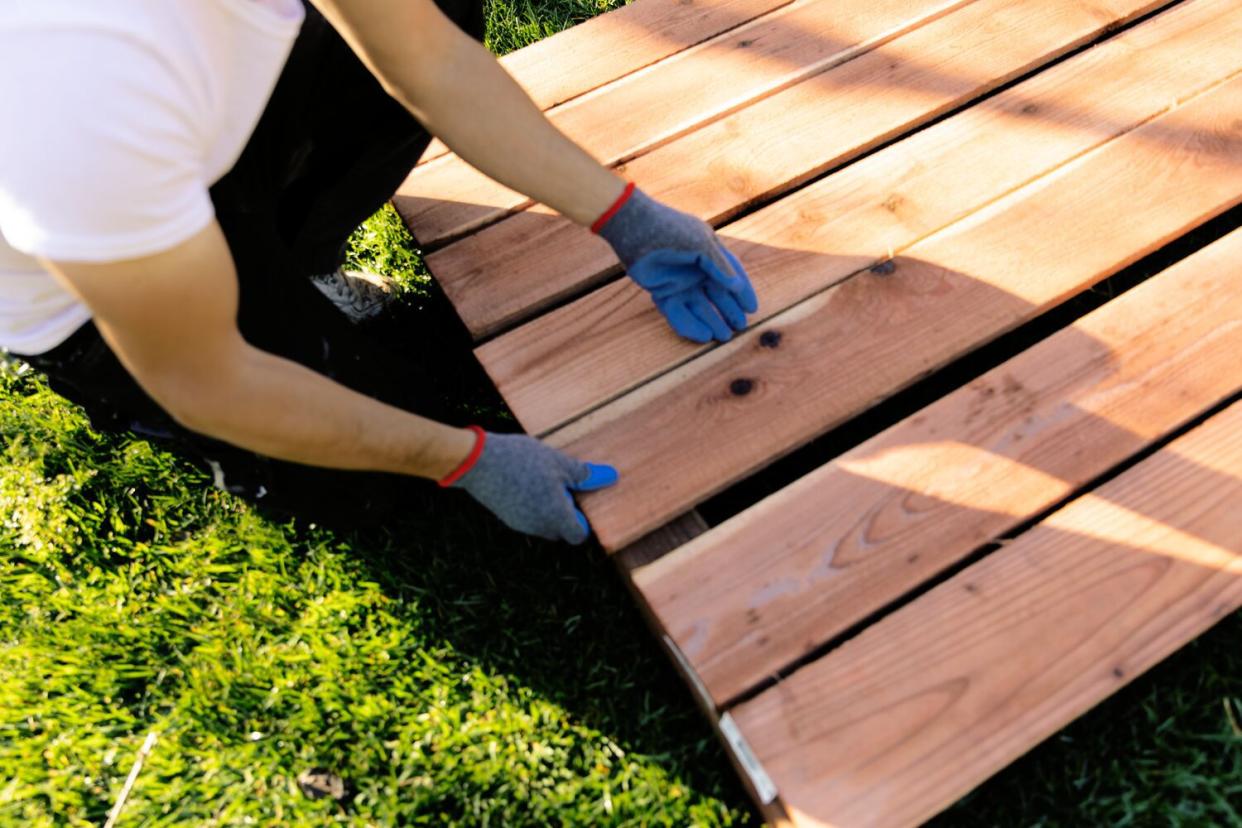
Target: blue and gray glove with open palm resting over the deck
column 700, row 286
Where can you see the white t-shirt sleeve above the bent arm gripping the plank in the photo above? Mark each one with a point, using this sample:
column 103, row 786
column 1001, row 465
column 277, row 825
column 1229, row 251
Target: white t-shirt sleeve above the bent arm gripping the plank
column 101, row 148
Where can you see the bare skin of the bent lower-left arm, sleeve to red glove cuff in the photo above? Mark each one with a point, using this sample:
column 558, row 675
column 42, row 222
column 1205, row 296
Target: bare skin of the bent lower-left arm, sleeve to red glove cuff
column 171, row 318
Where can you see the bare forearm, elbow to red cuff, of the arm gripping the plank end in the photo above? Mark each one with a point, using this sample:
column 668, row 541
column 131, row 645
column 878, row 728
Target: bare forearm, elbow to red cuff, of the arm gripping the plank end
column 280, row 409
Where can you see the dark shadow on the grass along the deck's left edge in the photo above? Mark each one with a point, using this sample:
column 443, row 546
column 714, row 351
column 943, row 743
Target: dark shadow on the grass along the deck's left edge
column 550, row 618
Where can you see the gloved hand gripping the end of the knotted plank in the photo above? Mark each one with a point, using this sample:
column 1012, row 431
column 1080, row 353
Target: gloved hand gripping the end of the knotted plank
column 528, row 485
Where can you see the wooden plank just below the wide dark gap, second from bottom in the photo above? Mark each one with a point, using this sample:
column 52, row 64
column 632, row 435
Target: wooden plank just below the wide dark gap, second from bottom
column 802, row 568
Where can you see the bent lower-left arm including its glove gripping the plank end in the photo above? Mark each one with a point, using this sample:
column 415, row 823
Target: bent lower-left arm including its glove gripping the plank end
column 171, row 318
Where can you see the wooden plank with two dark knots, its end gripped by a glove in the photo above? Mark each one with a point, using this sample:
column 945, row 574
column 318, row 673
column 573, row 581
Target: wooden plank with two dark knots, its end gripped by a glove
column 733, row 410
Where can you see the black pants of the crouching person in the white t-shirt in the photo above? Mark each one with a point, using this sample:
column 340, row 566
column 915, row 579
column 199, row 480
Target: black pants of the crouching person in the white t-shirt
column 331, row 148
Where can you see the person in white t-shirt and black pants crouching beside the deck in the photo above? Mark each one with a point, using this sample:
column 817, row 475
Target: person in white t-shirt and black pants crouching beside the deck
column 178, row 183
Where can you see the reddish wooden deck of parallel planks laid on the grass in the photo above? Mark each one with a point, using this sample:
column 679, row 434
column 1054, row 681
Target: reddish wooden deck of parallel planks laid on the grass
column 907, row 182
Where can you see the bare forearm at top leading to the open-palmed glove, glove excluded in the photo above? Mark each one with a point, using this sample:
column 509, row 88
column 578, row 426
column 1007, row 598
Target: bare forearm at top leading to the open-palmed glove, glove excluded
column 466, row 99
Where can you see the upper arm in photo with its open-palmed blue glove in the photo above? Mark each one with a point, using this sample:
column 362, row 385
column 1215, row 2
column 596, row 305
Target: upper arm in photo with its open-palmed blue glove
column 464, row 96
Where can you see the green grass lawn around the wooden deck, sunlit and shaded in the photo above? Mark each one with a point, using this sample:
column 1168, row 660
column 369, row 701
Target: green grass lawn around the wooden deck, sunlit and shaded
column 451, row 672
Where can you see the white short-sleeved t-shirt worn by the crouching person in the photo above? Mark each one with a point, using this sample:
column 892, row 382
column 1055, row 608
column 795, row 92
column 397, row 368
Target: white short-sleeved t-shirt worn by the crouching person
column 116, row 116
